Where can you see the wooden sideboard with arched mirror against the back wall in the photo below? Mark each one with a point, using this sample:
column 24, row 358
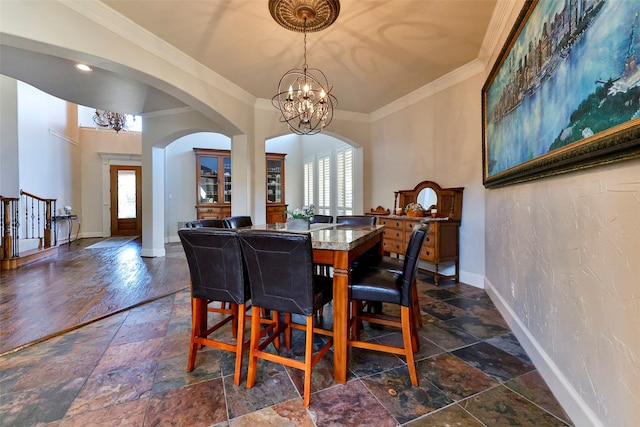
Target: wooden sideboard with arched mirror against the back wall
column 442, row 243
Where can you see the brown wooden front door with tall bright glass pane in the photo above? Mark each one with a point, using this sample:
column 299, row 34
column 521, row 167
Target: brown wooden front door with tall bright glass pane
column 126, row 206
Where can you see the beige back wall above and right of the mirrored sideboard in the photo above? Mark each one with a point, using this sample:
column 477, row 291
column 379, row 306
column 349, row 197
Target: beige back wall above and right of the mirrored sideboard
column 437, row 139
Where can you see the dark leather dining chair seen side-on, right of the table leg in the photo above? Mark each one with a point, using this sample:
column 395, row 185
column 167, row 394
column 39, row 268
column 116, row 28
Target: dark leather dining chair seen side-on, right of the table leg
column 392, row 287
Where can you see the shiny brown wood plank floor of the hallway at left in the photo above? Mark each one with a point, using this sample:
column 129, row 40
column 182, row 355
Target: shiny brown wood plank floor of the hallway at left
column 81, row 285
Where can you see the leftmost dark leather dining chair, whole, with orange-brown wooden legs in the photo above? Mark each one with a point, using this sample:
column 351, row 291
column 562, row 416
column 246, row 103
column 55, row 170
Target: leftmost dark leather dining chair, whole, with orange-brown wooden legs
column 217, row 274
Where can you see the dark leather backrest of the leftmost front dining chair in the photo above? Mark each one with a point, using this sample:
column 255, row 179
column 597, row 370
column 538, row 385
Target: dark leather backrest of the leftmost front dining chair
column 215, row 264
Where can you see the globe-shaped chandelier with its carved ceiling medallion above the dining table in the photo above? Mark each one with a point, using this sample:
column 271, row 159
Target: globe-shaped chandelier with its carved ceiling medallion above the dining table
column 304, row 95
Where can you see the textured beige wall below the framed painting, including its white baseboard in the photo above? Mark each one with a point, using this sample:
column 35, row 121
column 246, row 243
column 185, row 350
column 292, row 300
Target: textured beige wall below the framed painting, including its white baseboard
column 564, row 266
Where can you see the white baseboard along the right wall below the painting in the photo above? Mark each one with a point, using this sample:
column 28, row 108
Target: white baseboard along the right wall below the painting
column 571, row 401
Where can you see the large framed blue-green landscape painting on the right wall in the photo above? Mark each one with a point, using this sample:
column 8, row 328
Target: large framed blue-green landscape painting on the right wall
column 564, row 93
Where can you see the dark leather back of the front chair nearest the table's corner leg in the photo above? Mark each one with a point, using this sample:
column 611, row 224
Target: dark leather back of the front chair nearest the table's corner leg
column 279, row 267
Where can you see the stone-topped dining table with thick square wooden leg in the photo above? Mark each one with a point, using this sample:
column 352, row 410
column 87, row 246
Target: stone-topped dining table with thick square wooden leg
column 338, row 245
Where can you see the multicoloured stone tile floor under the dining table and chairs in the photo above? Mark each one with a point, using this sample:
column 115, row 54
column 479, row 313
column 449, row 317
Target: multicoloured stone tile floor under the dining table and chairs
column 129, row 370
